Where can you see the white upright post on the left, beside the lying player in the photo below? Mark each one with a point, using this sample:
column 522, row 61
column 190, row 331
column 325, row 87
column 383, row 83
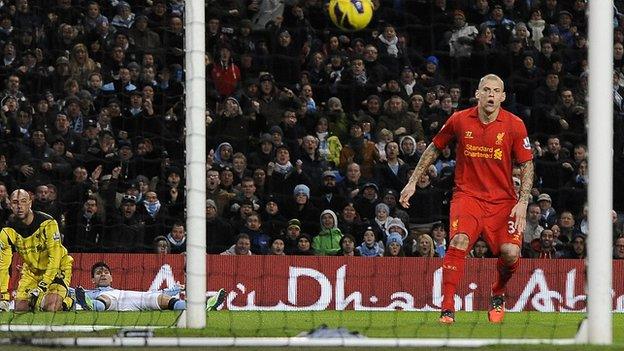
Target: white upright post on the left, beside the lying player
column 195, row 67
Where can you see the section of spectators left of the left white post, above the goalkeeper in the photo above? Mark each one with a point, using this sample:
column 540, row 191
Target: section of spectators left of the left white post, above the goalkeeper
column 91, row 119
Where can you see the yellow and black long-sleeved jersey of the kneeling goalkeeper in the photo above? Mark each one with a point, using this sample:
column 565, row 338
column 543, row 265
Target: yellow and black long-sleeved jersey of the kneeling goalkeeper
column 39, row 245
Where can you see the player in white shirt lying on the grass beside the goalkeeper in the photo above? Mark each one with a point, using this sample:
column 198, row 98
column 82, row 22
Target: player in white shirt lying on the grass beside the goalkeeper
column 106, row 298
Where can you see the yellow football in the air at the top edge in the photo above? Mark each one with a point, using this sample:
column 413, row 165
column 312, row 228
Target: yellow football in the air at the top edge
column 351, row 15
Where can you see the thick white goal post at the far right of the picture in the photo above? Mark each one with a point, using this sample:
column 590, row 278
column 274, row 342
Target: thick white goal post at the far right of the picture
column 600, row 189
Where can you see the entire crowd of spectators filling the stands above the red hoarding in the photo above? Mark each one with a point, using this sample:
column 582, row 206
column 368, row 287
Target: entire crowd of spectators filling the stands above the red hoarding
column 311, row 132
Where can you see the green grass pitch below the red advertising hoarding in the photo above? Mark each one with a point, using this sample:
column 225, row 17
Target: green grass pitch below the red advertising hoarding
column 397, row 324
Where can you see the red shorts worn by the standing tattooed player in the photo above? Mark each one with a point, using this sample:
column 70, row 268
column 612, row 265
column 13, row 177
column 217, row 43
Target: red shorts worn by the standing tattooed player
column 492, row 222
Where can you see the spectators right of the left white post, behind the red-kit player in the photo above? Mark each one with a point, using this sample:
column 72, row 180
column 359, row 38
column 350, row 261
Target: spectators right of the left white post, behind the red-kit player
column 313, row 132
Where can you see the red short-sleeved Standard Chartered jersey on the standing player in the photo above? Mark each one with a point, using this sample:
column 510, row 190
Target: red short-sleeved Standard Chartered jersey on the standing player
column 485, row 153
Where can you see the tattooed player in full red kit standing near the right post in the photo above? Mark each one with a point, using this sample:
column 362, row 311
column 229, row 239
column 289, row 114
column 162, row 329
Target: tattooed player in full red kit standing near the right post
column 488, row 141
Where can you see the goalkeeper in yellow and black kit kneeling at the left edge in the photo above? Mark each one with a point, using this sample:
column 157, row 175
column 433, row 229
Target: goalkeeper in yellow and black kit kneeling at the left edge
column 46, row 269
